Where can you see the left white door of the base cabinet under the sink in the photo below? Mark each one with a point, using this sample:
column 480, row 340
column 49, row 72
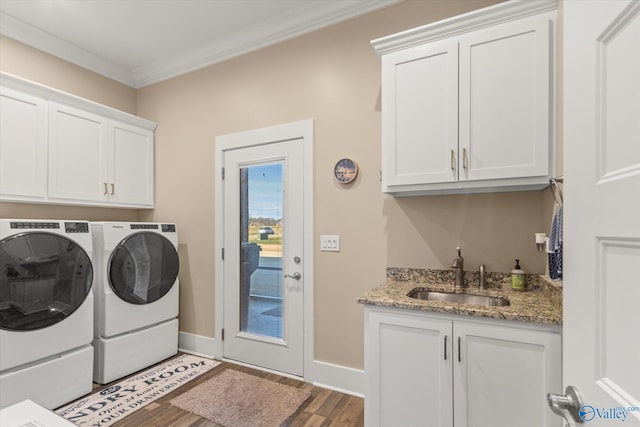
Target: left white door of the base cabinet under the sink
column 408, row 371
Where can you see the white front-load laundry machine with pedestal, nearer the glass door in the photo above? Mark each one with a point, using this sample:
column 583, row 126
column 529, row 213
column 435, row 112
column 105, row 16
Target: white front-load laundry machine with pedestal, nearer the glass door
column 135, row 297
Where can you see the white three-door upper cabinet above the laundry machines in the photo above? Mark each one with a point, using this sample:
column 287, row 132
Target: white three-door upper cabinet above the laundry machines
column 60, row 149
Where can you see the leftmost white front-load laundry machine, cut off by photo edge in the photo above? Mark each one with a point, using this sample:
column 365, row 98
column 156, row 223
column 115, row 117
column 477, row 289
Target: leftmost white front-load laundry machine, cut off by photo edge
column 46, row 311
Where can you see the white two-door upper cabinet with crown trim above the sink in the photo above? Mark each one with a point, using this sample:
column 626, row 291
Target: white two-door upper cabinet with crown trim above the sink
column 467, row 103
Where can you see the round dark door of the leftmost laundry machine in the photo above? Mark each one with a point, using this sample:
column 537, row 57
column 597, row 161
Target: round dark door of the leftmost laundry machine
column 44, row 277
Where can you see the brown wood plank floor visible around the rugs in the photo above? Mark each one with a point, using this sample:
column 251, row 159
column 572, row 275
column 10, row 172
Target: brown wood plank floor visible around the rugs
column 324, row 408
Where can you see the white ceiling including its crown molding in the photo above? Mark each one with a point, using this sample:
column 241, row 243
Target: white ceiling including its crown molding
column 140, row 42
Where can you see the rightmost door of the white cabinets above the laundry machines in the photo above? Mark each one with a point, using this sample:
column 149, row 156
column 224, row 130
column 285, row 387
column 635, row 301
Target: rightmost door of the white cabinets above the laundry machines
column 131, row 176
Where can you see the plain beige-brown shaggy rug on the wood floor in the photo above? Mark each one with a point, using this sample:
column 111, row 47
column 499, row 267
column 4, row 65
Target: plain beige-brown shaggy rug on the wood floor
column 236, row 399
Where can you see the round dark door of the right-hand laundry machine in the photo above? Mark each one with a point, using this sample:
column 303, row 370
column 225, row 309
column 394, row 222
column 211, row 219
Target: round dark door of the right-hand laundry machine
column 143, row 268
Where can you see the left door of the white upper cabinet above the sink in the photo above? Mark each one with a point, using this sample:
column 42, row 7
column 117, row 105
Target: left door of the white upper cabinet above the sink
column 420, row 115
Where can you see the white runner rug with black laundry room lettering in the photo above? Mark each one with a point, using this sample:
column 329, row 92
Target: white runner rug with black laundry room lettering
column 112, row 404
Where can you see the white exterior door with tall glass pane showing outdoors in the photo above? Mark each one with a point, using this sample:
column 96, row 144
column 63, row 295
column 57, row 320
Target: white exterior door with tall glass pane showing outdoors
column 263, row 266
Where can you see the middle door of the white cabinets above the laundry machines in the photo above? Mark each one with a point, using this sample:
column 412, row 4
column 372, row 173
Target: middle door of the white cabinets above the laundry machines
column 77, row 155
